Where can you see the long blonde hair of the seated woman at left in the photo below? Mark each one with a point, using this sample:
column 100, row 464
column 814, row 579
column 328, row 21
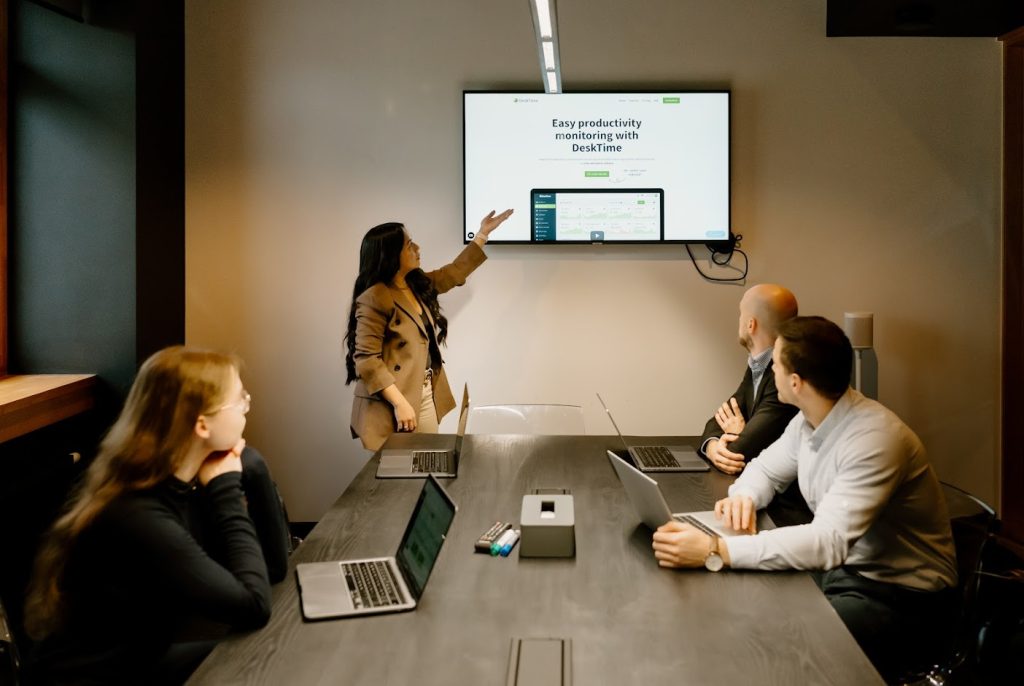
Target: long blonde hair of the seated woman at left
column 147, row 445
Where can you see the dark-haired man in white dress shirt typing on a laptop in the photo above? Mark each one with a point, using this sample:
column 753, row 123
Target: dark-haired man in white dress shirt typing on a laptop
column 881, row 529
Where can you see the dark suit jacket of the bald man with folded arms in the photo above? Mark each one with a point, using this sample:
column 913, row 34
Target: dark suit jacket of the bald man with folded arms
column 766, row 416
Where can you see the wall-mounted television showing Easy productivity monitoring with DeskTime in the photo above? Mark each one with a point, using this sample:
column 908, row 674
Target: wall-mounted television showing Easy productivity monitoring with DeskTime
column 599, row 167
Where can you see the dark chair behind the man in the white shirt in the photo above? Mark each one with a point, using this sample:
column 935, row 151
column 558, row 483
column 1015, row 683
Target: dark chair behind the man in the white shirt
column 973, row 523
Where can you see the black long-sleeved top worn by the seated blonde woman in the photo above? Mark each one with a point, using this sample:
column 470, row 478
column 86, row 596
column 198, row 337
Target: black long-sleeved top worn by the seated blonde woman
column 137, row 577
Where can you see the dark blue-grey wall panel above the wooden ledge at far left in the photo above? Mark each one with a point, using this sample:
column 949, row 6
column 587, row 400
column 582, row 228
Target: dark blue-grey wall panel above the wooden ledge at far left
column 72, row 241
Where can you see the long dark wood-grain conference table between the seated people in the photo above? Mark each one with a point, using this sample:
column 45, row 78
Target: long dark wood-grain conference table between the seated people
column 630, row 622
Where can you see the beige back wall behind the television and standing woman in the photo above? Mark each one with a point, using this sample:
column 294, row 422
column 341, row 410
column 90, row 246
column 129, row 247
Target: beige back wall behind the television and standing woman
column 866, row 178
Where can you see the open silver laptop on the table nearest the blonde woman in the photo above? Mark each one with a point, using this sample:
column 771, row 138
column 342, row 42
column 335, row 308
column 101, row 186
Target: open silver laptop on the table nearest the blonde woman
column 352, row 588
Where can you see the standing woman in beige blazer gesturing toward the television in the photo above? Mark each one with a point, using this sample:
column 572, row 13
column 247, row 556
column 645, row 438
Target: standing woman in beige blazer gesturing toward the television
column 396, row 330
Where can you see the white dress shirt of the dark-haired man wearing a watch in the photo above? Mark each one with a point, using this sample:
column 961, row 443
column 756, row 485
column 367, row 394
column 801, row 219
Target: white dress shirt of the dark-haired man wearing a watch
column 878, row 505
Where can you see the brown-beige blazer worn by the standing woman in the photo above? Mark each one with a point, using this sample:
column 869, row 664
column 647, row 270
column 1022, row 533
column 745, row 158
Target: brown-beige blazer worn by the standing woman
column 392, row 348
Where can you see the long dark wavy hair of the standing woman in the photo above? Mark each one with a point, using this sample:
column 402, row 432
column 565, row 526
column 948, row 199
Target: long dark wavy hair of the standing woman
column 380, row 258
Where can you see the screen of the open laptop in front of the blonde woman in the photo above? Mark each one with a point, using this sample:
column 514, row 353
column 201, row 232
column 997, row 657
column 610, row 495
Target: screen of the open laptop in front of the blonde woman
column 422, row 543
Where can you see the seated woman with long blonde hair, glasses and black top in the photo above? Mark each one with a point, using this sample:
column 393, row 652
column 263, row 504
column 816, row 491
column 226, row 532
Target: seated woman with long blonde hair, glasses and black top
column 120, row 574
